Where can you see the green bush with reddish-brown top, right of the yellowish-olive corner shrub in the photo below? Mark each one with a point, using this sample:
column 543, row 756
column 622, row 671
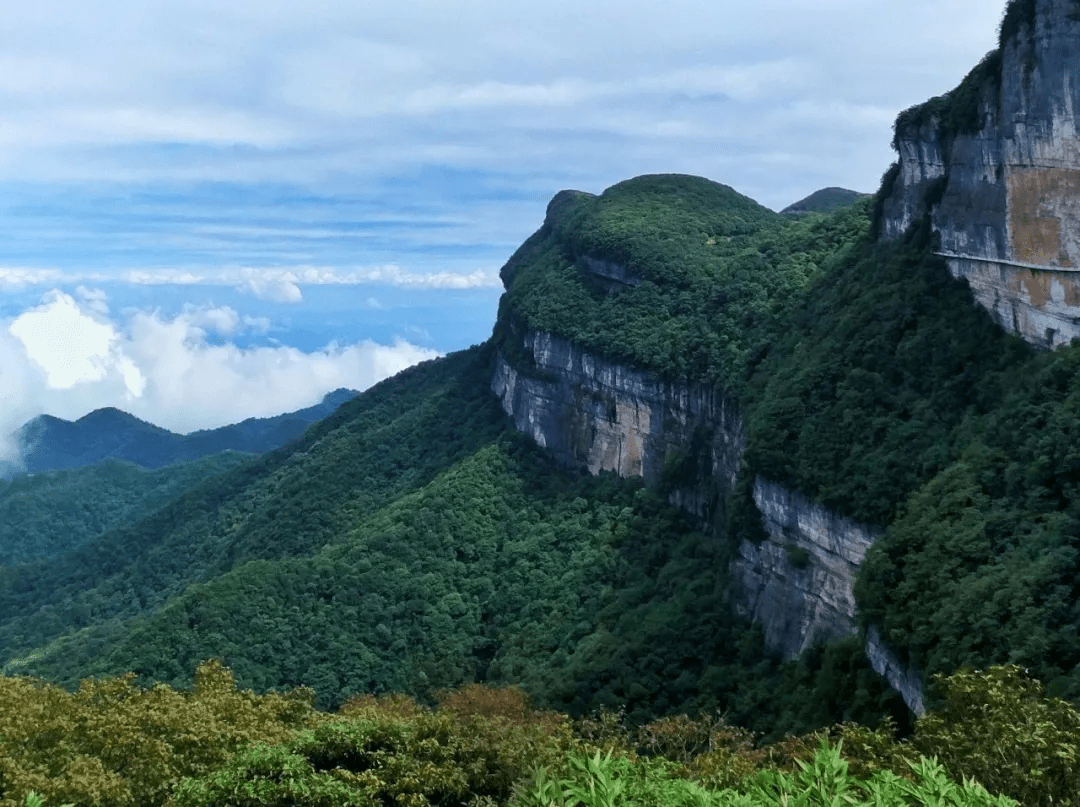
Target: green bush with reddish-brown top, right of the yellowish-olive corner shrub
column 372, row 759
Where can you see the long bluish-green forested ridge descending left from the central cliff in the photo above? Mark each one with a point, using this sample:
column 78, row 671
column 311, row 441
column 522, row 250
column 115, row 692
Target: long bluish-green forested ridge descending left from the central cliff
column 288, row 503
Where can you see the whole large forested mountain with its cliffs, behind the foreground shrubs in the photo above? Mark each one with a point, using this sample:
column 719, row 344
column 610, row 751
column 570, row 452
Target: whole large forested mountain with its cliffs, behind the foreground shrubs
column 712, row 458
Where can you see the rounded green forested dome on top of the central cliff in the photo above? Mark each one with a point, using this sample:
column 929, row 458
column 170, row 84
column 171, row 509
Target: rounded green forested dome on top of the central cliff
column 711, row 276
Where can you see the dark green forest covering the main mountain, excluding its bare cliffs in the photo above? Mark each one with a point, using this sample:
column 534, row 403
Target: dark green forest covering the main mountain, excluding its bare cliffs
column 413, row 541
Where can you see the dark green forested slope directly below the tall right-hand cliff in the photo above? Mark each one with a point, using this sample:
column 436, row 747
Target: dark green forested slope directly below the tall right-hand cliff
column 896, row 400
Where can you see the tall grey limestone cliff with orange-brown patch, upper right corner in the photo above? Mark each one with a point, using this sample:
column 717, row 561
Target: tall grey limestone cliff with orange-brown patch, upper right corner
column 997, row 166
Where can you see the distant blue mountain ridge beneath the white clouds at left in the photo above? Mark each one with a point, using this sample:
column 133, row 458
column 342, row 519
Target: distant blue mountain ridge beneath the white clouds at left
column 55, row 443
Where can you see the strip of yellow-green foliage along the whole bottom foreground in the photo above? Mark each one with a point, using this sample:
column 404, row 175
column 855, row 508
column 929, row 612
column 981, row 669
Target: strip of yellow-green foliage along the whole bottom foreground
column 114, row 745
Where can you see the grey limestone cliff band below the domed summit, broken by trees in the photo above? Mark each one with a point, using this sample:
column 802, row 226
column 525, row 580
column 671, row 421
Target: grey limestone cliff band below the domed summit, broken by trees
column 798, row 584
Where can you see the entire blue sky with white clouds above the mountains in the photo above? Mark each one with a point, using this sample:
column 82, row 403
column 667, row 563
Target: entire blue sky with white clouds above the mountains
column 212, row 210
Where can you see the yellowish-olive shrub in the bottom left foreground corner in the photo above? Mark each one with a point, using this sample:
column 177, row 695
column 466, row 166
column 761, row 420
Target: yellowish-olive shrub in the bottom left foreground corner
column 115, row 745
